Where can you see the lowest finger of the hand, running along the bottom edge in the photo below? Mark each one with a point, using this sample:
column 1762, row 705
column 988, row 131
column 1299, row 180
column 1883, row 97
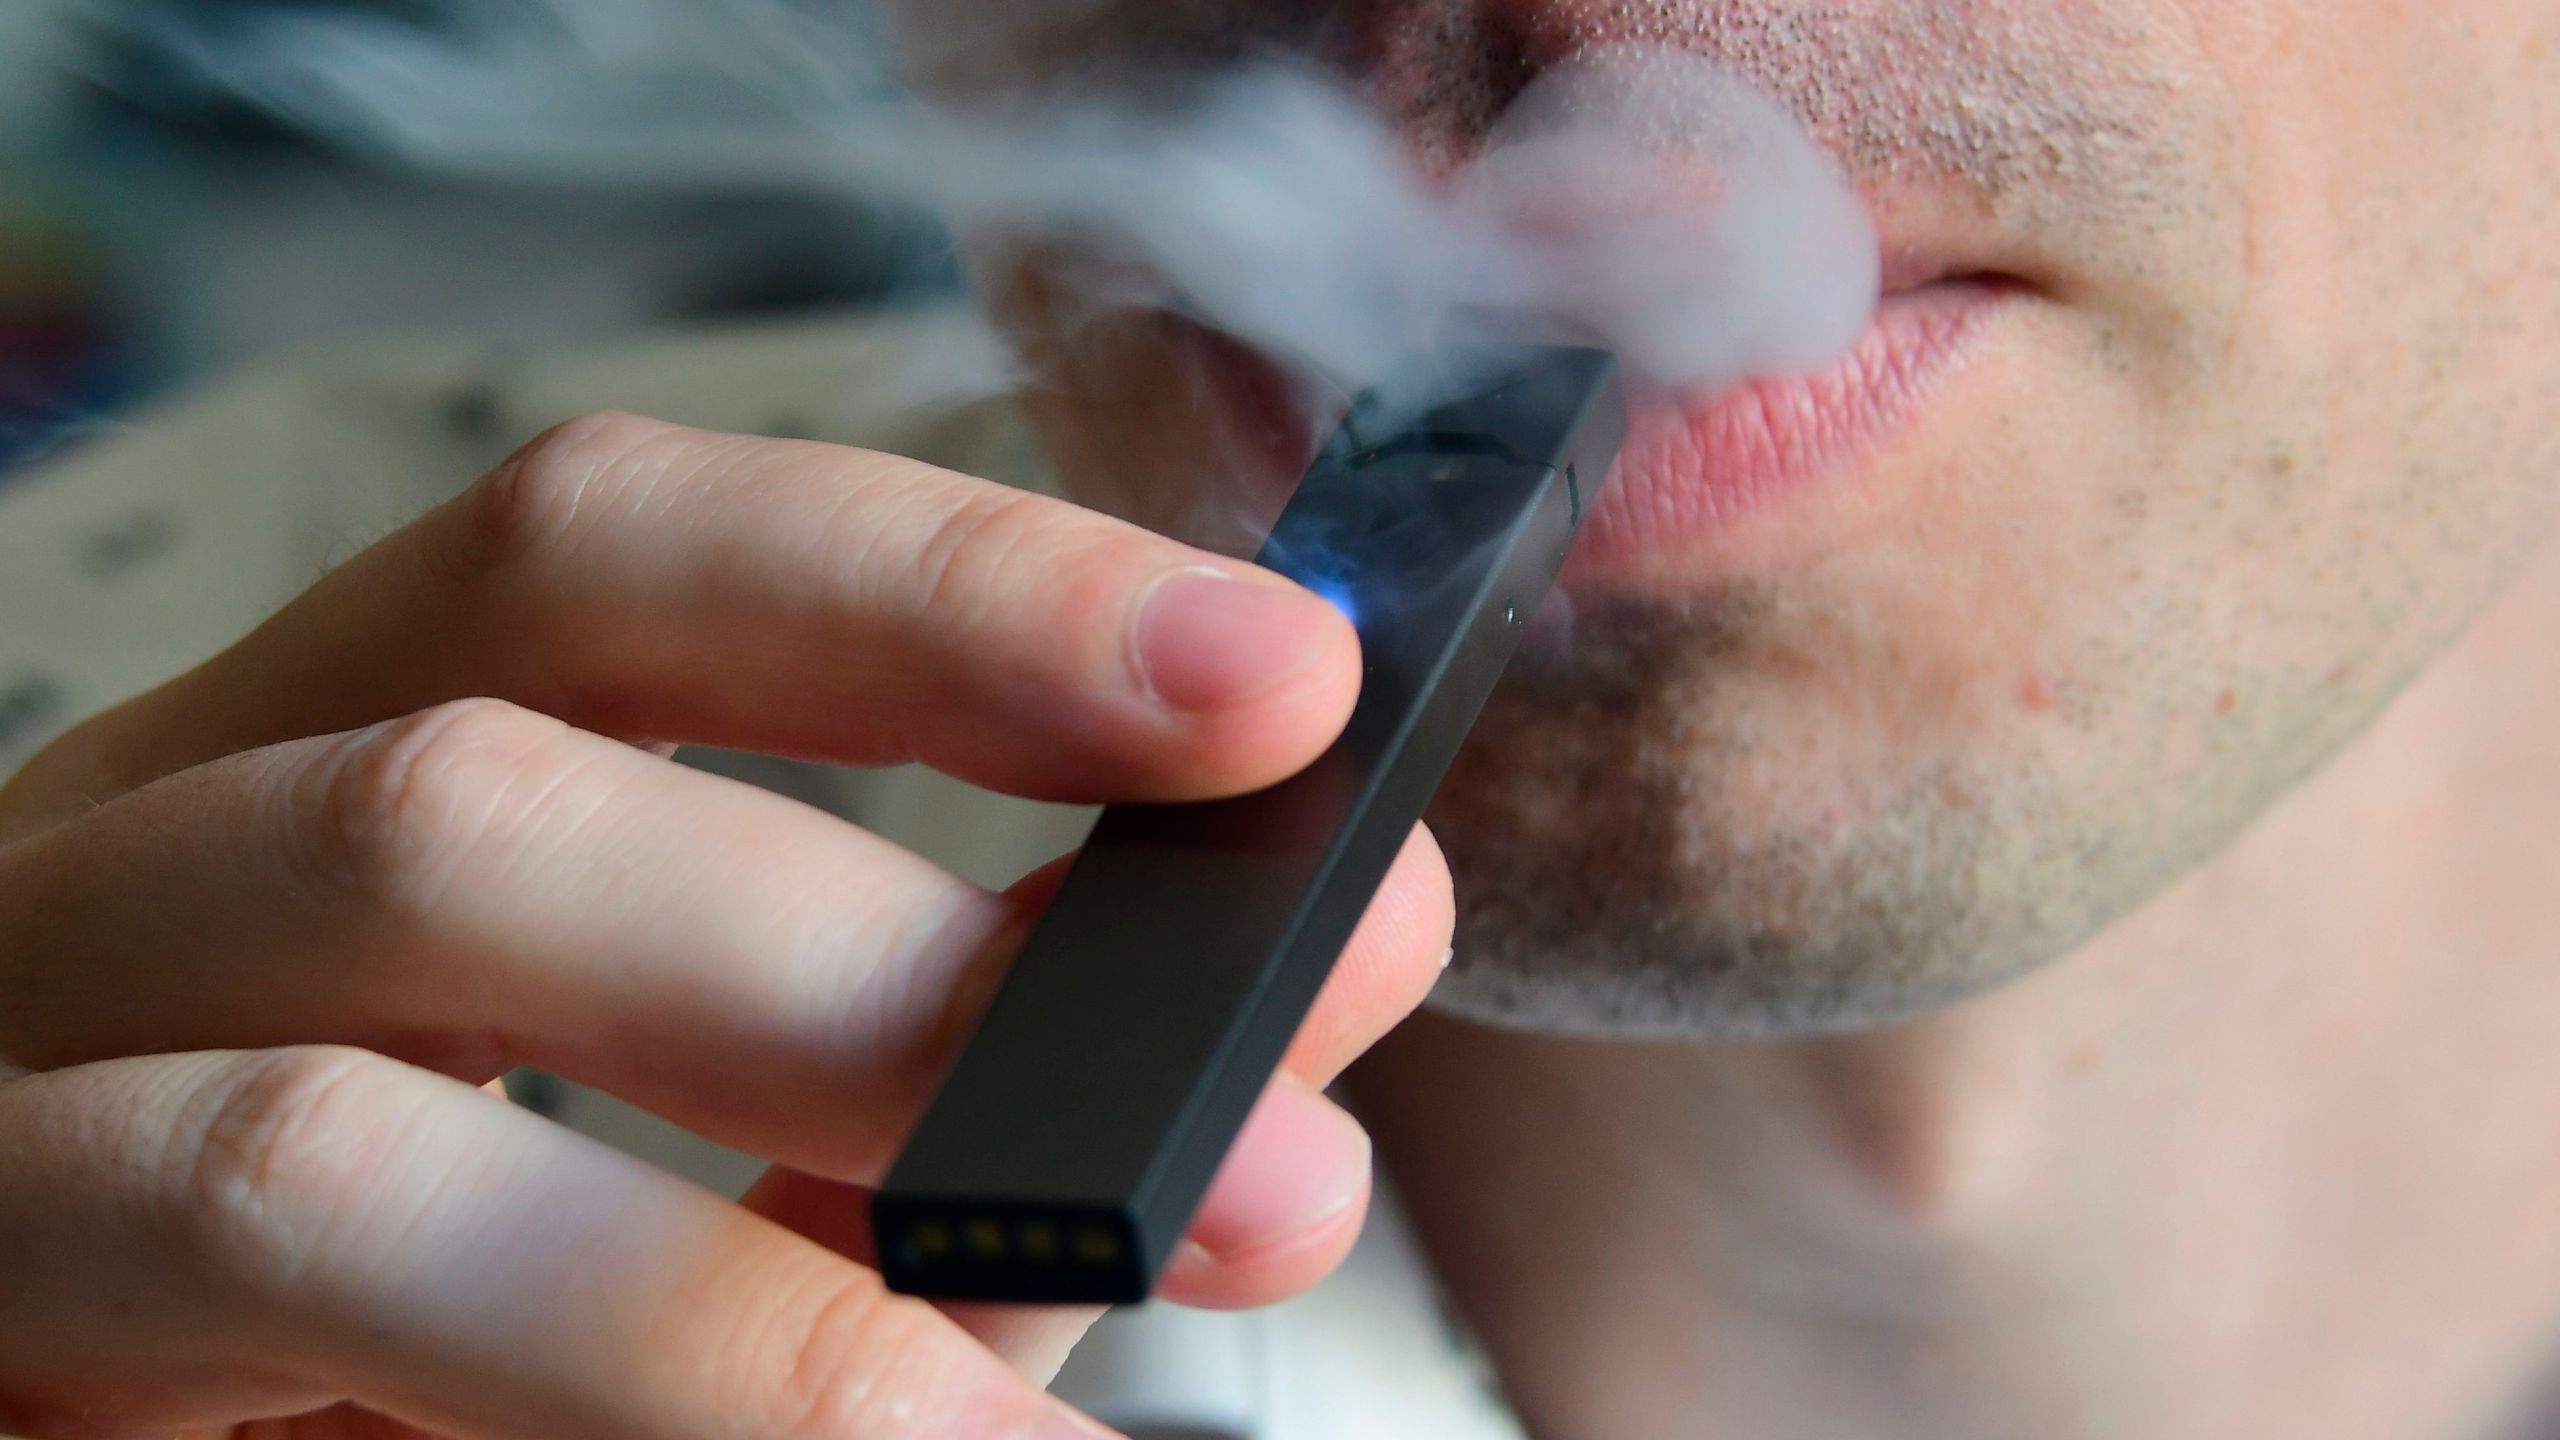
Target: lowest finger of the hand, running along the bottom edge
column 198, row 1239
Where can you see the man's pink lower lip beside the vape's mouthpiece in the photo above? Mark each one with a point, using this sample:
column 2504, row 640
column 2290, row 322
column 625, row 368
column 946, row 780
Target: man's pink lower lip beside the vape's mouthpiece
column 1727, row 475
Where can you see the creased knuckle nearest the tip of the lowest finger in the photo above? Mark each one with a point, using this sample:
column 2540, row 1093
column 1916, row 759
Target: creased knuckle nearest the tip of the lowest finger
column 859, row 1364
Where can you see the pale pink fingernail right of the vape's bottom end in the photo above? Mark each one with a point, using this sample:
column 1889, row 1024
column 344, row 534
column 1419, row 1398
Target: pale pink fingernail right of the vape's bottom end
column 1299, row 1165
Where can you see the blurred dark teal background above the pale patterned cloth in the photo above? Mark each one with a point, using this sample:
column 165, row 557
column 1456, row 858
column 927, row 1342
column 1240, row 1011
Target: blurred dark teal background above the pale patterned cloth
column 198, row 186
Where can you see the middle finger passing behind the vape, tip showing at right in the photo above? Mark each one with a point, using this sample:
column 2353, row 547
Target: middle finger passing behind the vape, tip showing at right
column 483, row 888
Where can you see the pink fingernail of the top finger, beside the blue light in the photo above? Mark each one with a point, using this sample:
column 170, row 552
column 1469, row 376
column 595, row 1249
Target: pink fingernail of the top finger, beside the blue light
column 1207, row 642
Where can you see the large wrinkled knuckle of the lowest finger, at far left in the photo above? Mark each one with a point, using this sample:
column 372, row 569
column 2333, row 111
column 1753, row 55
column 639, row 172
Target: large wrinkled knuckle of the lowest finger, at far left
column 278, row 1157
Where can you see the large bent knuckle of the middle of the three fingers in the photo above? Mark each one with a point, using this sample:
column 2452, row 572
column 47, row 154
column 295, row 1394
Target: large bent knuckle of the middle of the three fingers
column 398, row 808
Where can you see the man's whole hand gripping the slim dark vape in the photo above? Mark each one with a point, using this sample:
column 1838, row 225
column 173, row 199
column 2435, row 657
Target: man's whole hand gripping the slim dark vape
column 265, row 929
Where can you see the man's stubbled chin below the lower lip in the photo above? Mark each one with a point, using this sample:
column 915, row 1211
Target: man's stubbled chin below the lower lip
column 1714, row 852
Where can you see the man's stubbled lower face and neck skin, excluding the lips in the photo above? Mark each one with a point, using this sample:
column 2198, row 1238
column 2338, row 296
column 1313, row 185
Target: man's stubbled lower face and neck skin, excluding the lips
column 2057, row 988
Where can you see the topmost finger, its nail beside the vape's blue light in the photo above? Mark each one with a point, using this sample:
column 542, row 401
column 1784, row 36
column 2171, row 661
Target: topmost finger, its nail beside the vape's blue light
column 792, row 598
